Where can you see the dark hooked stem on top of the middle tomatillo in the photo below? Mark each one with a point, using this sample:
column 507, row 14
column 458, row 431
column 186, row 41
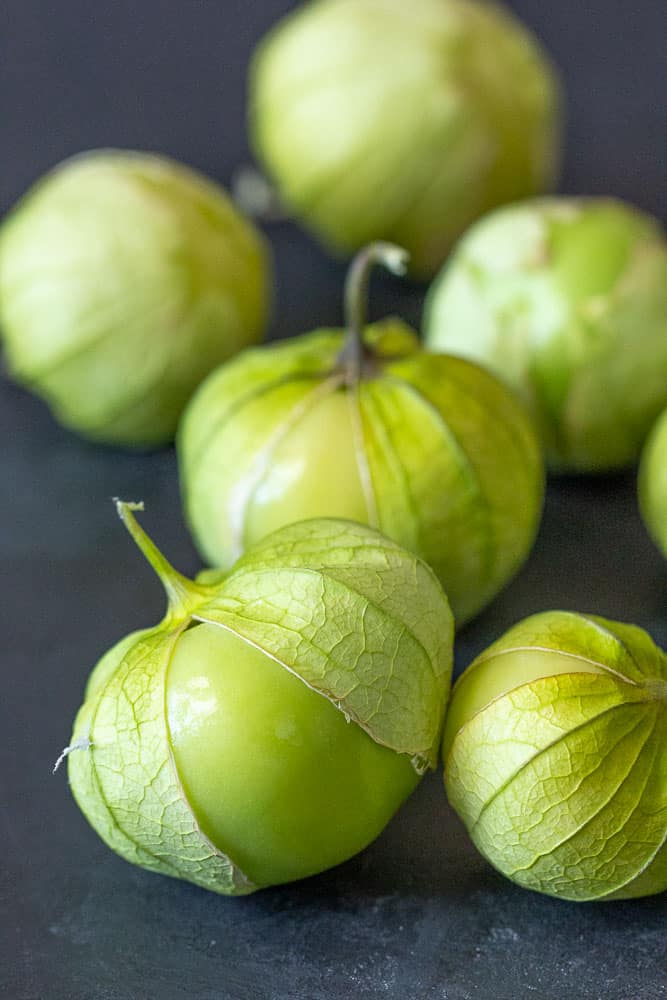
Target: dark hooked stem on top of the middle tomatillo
column 395, row 259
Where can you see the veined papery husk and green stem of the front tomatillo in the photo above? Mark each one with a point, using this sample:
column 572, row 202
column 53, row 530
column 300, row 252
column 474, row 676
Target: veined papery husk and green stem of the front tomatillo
column 359, row 619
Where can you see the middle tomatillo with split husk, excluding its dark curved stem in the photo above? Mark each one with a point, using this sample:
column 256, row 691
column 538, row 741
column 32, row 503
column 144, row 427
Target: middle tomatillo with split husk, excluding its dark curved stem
column 432, row 451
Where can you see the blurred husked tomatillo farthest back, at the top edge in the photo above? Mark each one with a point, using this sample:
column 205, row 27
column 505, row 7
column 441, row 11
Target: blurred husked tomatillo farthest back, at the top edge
column 333, row 119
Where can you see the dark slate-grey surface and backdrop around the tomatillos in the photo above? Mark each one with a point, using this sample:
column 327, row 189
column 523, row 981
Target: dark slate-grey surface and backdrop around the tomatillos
column 419, row 914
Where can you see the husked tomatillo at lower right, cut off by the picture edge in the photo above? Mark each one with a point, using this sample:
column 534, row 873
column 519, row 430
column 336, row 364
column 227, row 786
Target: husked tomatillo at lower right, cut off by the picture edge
column 555, row 757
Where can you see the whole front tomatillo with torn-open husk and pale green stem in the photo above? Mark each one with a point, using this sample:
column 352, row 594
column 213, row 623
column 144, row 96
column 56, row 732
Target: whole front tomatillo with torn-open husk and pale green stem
column 272, row 723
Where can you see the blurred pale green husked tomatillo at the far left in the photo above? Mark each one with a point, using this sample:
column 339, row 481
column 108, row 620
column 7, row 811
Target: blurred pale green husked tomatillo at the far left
column 124, row 279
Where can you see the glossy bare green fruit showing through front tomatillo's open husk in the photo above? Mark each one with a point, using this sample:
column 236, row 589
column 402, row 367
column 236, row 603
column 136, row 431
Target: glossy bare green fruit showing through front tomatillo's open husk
column 276, row 776
